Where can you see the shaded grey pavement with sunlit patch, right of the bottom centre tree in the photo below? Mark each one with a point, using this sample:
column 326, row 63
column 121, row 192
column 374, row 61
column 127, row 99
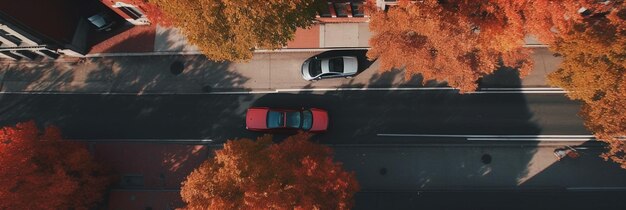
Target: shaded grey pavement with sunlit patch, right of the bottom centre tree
column 464, row 167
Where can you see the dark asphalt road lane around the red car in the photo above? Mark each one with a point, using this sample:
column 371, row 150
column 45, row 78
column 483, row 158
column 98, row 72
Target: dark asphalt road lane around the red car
column 356, row 117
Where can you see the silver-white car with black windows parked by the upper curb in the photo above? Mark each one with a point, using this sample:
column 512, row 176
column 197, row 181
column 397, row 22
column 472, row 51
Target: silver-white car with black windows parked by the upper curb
column 322, row 68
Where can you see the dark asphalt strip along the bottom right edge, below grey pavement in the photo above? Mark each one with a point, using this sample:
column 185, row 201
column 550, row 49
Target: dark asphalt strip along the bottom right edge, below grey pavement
column 496, row 200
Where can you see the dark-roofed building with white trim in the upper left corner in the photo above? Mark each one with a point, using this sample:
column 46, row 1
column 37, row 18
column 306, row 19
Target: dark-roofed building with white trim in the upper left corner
column 34, row 29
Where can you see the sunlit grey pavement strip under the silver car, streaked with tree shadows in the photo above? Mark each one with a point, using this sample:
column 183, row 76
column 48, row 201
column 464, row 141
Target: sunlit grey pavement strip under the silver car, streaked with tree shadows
column 266, row 71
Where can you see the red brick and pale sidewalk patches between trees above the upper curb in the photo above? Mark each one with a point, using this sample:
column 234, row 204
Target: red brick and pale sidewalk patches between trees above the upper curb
column 159, row 40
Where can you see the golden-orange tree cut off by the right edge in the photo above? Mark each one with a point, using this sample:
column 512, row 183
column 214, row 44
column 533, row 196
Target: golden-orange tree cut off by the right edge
column 594, row 71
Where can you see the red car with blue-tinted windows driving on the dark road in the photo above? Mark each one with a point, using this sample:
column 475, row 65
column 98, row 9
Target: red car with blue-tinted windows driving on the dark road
column 276, row 120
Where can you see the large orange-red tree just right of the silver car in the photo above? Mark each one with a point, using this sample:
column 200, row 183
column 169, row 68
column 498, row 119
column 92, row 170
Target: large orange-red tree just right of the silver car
column 454, row 41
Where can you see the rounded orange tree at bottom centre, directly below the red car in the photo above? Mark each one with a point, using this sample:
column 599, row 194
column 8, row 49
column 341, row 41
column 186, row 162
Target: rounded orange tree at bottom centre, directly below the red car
column 246, row 174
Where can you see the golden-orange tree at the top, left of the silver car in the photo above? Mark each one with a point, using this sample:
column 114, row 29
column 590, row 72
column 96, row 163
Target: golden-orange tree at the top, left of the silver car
column 231, row 30
